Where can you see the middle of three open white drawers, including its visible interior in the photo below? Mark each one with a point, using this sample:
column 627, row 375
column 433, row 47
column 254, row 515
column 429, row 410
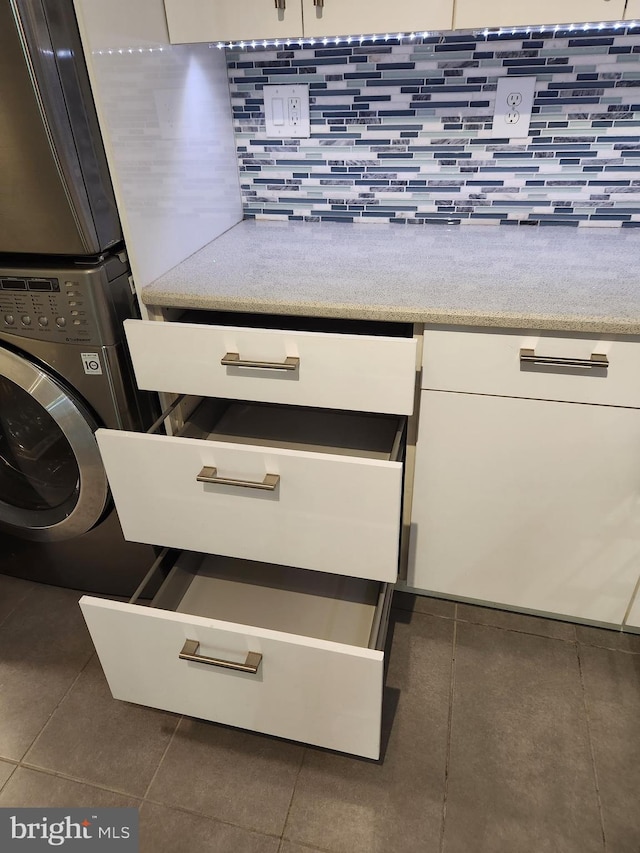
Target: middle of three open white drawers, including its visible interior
column 312, row 488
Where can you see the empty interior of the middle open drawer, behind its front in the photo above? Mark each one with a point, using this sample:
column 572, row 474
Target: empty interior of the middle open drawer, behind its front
column 298, row 428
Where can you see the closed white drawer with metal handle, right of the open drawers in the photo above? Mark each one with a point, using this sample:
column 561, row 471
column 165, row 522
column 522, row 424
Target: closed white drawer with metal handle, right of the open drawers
column 486, row 362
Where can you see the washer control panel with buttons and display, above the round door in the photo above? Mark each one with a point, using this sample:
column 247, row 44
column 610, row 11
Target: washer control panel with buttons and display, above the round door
column 48, row 308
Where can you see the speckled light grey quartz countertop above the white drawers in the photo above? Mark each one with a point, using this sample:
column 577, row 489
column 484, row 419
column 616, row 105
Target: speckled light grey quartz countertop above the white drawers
column 552, row 278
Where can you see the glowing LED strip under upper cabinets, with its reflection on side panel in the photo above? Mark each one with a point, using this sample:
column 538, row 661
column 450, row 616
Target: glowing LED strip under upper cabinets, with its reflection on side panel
column 385, row 37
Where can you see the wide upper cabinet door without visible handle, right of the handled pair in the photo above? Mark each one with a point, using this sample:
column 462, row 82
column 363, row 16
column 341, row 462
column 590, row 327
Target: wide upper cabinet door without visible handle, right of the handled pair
column 512, row 13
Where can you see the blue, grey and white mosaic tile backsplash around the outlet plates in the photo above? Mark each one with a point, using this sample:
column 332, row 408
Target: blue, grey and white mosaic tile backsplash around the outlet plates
column 401, row 130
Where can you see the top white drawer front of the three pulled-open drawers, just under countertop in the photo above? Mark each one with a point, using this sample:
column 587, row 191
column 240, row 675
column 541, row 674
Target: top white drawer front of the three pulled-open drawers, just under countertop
column 339, row 371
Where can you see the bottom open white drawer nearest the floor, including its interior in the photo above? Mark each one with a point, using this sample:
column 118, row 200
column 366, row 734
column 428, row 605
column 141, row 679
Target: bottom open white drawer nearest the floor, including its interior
column 277, row 650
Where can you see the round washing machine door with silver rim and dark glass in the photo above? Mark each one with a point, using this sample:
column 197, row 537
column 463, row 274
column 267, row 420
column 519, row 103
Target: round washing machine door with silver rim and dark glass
column 52, row 482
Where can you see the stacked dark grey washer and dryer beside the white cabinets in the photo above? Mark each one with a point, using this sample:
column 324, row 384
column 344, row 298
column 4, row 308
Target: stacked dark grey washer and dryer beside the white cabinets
column 64, row 293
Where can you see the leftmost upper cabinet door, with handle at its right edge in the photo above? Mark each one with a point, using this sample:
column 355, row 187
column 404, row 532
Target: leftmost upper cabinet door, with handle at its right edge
column 232, row 20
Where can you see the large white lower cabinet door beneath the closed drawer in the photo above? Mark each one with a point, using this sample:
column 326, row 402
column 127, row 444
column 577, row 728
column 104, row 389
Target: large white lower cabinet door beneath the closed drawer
column 527, row 504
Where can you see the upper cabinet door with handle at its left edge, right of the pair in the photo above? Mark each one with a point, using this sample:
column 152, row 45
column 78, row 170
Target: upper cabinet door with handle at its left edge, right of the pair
column 355, row 17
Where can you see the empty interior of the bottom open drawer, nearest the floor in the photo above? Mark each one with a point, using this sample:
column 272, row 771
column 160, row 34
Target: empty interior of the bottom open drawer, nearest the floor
column 330, row 607
